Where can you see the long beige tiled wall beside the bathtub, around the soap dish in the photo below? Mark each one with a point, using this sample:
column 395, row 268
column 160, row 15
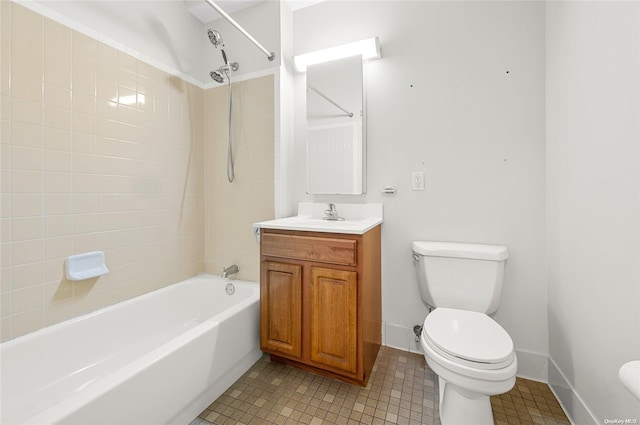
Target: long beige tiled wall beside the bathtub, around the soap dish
column 100, row 151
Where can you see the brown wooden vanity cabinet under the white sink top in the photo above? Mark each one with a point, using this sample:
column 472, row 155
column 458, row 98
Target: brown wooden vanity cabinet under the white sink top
column 320, row 301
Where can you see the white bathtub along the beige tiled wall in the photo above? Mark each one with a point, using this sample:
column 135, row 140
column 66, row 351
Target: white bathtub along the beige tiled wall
column 160, row 358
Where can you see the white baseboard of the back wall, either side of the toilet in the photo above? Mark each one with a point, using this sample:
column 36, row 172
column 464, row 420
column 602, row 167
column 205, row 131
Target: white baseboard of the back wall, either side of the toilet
column 531, row 365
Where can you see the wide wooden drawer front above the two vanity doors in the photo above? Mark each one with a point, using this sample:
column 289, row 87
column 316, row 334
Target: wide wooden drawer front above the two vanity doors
column 311, row 248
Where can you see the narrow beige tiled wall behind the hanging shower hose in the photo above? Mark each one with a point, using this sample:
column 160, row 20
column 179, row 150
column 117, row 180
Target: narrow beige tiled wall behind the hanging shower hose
column 233, row 207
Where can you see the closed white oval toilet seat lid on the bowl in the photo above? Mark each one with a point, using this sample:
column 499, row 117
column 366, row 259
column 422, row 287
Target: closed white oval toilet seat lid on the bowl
column 469, row 336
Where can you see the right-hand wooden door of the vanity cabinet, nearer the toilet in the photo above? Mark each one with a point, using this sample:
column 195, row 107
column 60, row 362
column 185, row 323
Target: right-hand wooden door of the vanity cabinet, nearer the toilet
column 333, row 305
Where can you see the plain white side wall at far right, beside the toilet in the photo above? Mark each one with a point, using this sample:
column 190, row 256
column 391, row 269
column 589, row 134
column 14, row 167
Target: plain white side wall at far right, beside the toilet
column 593, row 163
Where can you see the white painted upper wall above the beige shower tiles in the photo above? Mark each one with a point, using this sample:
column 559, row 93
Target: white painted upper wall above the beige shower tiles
column 166, row 35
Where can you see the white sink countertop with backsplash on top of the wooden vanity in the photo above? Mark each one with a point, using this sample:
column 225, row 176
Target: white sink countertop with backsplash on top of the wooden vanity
column 354, row 222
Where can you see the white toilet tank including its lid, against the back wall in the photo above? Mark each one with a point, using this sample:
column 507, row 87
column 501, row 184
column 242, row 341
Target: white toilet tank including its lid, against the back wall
column 460, row 275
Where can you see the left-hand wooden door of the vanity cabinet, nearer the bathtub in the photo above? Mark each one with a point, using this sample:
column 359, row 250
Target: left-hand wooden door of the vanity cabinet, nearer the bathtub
column 281, row 309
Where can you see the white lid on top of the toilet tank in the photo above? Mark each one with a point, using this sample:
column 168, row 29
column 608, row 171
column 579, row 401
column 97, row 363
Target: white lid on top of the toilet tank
column 460, row 250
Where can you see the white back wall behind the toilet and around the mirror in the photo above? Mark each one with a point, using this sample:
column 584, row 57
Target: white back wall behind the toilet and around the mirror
column 441, row 101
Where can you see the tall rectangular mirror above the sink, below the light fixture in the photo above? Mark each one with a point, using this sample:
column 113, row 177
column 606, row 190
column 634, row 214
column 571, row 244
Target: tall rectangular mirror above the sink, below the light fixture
column 336, row 127
